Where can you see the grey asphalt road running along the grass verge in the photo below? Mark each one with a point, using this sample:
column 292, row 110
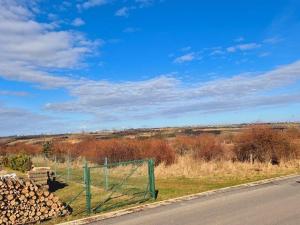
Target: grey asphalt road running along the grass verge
column 277, row 203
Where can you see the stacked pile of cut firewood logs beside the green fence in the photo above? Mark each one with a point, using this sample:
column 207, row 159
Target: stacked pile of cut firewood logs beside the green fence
column 24, row 202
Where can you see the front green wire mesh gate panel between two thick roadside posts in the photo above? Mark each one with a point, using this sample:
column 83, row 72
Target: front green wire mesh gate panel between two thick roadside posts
column 114, row 185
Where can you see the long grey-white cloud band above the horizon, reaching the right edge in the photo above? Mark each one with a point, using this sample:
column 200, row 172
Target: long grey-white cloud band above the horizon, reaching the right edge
column 166, row 94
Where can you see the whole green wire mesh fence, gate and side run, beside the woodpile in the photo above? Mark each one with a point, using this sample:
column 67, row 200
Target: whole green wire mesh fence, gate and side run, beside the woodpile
column 90, row 188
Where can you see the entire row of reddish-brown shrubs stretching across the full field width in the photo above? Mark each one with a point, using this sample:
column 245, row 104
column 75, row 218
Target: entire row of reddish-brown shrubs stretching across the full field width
column 260, row 143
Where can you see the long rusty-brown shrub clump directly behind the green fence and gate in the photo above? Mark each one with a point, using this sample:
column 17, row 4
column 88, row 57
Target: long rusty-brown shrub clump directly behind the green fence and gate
column 117, row 150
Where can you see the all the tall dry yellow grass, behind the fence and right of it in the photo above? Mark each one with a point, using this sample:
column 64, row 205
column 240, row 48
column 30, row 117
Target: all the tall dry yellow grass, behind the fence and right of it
column 186, row 166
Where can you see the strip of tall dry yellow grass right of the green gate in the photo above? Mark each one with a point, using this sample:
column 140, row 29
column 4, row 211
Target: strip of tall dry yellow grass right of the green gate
column 186, row 166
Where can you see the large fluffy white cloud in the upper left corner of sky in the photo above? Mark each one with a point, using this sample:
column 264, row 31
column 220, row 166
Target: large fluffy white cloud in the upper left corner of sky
column 29, row 49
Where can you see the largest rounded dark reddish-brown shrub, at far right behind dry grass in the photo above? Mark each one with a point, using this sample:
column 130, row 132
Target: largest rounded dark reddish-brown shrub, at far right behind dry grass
column 265, row 145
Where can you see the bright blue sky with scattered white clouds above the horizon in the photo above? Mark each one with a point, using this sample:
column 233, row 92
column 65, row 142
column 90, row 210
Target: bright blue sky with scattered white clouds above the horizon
column 68, row 66
